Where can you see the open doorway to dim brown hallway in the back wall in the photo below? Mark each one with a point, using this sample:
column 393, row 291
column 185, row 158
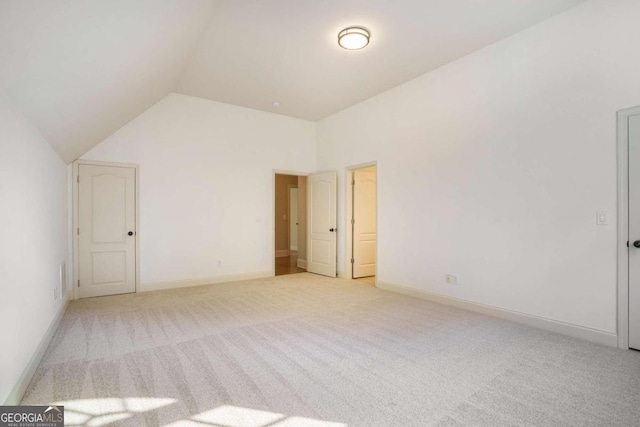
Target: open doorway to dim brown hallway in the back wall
column 290, row 224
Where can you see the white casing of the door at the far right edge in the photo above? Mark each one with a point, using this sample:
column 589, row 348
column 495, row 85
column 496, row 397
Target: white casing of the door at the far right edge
column 623, row 225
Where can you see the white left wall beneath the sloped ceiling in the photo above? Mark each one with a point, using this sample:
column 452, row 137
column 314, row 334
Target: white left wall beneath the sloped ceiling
column 33, row 189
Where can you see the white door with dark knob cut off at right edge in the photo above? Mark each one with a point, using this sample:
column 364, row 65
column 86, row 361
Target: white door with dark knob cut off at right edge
column 634, row 232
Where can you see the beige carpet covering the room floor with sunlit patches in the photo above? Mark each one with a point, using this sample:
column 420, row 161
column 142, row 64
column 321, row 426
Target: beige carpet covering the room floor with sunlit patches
column 307, row 350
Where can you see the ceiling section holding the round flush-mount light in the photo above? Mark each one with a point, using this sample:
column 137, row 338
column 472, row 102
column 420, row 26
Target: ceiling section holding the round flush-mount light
column 257, row 52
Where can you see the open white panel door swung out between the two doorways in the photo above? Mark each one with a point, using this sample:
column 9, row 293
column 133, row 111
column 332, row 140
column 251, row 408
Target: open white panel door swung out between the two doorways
column 321, row 223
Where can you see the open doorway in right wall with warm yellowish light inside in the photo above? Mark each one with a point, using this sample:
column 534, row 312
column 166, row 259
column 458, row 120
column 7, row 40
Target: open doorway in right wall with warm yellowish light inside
column 362, row 223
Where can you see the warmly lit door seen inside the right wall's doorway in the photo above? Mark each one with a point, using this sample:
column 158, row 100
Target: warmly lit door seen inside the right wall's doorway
column 364, row 223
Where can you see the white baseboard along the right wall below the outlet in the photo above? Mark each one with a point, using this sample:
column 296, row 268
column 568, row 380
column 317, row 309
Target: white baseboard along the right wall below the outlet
column 576, row 331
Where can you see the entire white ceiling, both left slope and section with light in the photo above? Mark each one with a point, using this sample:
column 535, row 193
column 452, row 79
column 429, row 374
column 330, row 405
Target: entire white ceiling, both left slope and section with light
column 81, row 69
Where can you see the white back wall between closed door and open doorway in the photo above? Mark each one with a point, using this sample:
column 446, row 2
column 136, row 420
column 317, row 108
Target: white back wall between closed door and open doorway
column 206, row 184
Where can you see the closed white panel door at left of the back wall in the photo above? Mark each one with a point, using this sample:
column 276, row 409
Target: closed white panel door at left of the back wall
column 107, row 234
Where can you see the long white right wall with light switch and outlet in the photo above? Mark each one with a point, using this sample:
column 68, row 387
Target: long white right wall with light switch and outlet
column 492, row 168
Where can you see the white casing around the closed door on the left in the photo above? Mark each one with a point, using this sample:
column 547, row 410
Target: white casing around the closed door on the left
column 75, row 220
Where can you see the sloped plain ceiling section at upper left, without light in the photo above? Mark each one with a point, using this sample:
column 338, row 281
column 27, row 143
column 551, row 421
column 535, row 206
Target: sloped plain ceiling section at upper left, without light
column 81, row 69
